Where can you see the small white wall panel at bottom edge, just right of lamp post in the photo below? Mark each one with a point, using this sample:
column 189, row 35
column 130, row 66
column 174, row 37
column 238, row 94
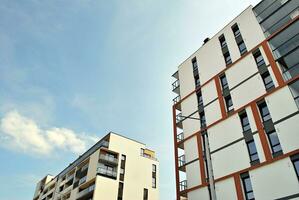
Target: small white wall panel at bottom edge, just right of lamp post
column 225, row 190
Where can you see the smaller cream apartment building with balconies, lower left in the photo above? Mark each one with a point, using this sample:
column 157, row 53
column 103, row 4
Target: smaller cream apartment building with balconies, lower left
column 115, row 168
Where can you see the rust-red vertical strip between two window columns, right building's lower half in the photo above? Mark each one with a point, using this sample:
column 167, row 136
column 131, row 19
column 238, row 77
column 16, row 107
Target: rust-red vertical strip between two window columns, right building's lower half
column 261, row 131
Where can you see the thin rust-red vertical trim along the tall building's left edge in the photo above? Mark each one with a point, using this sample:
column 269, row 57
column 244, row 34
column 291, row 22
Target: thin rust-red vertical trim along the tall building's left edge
column 177, row 175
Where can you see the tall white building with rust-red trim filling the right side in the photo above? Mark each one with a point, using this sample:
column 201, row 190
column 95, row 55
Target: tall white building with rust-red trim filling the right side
column 235, row 115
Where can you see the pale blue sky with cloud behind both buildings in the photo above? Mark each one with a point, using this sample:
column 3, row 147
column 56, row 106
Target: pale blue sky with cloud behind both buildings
column 73, row 70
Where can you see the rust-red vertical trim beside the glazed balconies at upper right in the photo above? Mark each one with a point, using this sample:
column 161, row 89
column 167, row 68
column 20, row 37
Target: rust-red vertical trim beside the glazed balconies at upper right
column 273, row 63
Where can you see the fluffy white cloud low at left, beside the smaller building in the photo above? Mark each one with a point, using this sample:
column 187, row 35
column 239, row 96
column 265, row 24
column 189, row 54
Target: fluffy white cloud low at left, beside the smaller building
column 22, row 134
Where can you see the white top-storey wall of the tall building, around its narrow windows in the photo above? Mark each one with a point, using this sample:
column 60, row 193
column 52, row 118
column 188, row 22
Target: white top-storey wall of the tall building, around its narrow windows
column 209, row 56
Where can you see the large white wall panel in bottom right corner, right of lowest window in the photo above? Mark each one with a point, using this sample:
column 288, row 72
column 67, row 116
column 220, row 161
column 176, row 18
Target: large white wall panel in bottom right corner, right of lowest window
column 275, row 180
